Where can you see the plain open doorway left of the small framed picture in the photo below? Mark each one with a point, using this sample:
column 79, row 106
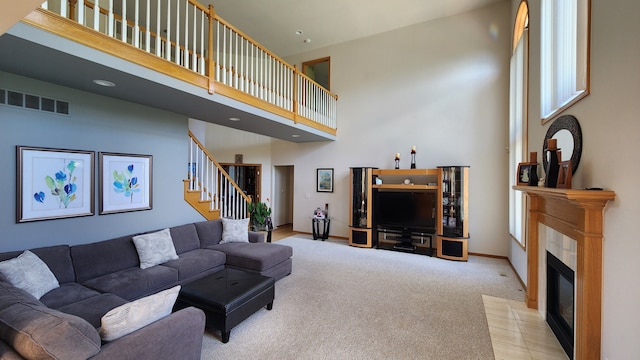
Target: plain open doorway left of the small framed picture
column 283, row 195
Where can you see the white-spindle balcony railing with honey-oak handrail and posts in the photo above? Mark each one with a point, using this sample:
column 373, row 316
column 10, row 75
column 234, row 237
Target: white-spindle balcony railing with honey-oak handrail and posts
column 192, row 36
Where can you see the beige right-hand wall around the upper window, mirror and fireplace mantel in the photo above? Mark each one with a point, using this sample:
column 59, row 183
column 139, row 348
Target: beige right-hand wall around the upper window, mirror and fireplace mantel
column 611, row 138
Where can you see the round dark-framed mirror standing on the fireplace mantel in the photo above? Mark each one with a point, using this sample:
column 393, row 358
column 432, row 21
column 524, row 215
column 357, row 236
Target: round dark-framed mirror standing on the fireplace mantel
column 566, row 130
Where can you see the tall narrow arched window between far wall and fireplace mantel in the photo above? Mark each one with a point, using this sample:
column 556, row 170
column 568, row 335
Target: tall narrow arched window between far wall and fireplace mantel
column 518, row 120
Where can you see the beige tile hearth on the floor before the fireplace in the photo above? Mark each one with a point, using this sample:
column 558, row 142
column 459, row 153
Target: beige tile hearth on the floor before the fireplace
column 518, row 332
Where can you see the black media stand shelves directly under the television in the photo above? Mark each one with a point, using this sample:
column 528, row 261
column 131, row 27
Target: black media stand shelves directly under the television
column 418, row 242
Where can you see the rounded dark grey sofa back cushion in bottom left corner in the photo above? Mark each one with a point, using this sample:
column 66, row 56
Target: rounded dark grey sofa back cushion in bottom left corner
column 37, row 332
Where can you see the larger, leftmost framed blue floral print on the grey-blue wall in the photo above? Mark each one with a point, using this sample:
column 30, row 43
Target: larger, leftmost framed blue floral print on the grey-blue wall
column 53, row 183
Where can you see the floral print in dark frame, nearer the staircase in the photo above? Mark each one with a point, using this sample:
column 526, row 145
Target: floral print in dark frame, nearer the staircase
column 125, row 182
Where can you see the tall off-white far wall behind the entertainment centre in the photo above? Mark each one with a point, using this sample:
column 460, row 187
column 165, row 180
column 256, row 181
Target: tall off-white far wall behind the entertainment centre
column 440, row 85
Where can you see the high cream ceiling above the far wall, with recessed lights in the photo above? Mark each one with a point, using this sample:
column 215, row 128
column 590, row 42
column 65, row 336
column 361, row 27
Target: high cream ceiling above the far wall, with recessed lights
column 274, row 23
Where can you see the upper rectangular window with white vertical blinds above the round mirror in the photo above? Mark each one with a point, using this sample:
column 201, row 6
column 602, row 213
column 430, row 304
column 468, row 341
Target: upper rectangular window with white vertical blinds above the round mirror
column 564, row 55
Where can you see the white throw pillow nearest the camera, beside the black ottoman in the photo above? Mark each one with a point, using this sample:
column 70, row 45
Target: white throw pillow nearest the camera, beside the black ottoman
column 137, row 314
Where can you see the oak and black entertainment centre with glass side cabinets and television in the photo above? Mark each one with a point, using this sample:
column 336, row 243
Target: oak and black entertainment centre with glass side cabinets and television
column 410, row 210
